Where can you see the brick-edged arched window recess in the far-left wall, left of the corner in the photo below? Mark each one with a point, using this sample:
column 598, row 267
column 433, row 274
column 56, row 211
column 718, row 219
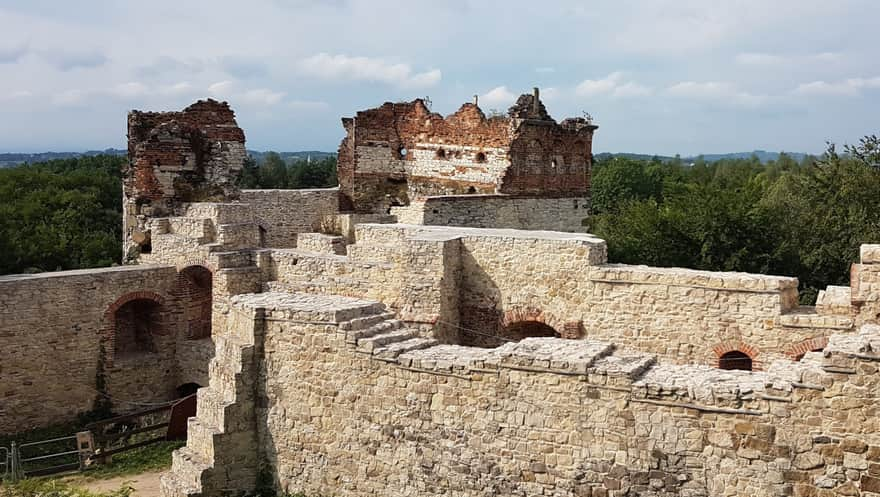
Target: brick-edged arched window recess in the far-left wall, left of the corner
column 137, row 321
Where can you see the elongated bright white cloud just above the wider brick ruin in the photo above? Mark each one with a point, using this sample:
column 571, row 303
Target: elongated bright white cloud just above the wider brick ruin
column 343, row 67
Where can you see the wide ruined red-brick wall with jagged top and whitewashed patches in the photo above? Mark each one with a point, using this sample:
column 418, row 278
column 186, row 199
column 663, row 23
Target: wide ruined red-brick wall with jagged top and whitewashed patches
column 400, row 153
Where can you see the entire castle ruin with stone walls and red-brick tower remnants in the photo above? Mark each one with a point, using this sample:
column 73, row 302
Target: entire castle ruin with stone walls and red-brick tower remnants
column 439, row 324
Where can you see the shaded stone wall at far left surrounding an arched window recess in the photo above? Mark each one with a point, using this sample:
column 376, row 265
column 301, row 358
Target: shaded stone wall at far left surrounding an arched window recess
column 52, row 327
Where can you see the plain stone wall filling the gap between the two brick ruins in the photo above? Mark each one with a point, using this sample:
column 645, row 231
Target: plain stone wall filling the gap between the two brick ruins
column 283, row 213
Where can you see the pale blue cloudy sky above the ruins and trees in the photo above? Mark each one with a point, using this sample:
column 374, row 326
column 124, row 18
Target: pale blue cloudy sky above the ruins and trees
column 658, row 76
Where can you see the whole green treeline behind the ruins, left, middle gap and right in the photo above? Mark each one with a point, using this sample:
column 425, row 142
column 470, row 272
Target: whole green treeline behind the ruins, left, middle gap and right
column 804, row 218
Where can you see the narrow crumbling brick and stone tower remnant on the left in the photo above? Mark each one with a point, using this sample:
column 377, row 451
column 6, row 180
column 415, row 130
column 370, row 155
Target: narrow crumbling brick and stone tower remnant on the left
column 177, row 157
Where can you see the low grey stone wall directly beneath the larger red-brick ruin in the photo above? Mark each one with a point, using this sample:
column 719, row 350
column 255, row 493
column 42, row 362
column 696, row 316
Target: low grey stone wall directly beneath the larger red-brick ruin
column 497, row 211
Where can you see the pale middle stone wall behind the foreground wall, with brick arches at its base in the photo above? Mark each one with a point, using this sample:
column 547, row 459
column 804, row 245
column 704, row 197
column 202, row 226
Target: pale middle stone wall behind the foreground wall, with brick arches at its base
column 490, row 280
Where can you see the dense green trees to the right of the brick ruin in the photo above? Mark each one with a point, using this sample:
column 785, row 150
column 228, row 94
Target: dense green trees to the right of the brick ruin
column 804, row 219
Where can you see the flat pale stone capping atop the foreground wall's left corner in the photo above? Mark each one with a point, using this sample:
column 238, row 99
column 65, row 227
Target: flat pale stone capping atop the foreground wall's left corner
column 309, row 307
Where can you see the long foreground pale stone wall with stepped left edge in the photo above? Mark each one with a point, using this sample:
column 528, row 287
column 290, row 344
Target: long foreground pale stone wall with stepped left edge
column 319, row 415
